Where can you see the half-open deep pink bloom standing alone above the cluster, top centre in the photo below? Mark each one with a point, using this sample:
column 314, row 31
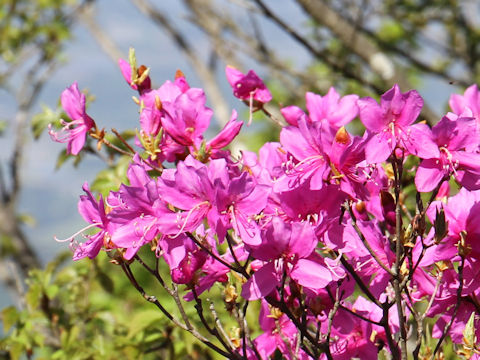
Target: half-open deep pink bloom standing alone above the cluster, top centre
column 249, row 86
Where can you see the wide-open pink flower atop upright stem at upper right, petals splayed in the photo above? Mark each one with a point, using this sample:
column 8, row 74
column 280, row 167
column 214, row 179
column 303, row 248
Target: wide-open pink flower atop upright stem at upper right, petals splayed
column 390, row 125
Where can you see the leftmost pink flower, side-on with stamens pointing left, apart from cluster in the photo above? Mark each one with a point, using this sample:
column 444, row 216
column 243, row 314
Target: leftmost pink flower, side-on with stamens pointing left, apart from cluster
column 75, row 131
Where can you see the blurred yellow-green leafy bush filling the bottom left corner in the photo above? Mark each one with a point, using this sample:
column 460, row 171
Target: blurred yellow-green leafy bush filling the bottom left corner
column 84, row 311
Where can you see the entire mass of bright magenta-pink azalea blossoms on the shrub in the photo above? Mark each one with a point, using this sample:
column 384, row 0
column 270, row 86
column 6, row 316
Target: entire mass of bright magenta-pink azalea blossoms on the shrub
column 322, row 227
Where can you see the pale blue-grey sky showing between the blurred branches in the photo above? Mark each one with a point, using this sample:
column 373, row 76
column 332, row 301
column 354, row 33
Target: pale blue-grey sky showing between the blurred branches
column 50, row 195
